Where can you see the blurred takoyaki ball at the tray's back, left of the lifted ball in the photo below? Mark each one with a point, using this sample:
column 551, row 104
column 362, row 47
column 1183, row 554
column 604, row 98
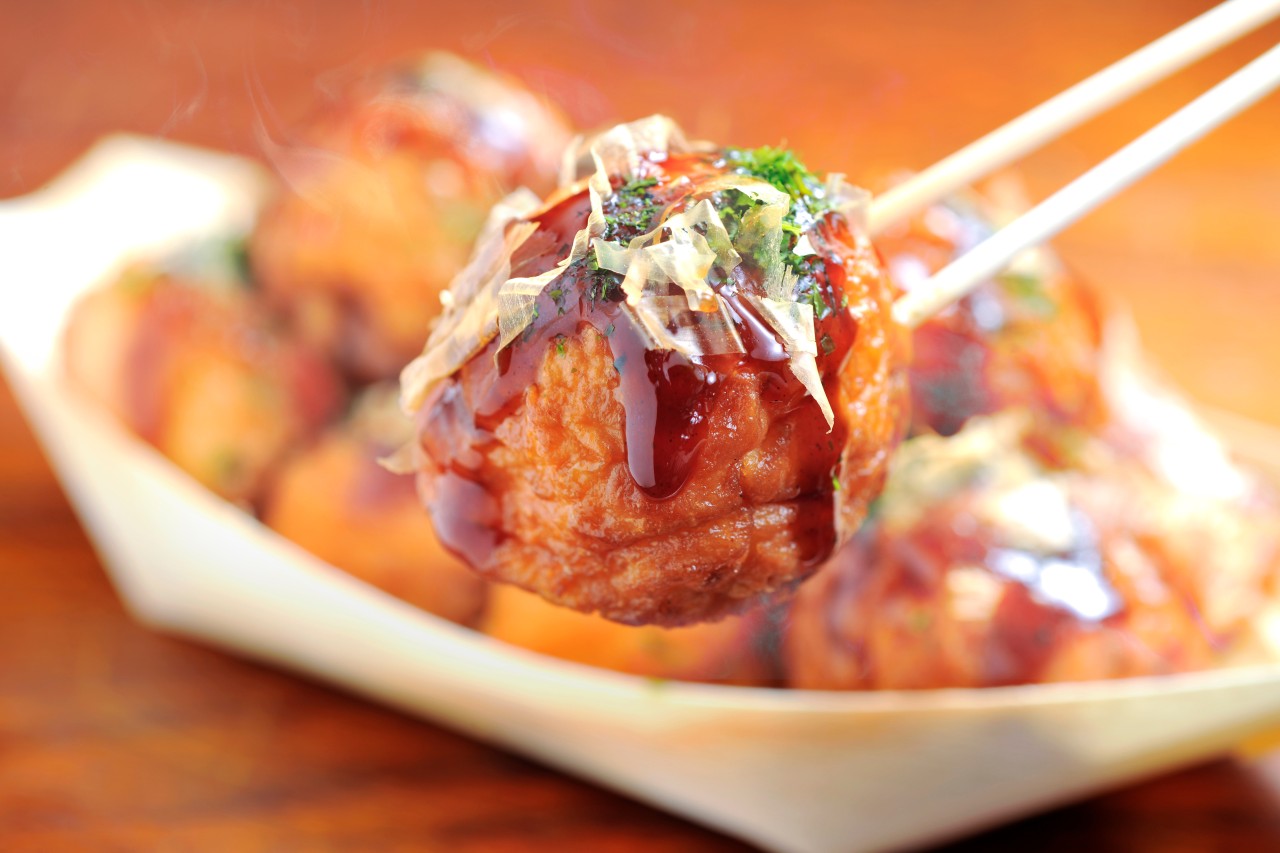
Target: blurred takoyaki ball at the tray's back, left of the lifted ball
column 383, row 195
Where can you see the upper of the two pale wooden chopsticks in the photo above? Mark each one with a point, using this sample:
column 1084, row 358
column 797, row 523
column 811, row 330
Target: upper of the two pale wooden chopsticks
column 1136, row 72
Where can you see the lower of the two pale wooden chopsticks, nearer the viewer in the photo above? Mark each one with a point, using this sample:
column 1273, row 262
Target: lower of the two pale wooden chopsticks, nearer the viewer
column 1233, row 95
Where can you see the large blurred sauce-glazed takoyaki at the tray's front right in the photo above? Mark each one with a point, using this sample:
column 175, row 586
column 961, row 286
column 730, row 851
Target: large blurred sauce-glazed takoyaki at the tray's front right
column 982, row 568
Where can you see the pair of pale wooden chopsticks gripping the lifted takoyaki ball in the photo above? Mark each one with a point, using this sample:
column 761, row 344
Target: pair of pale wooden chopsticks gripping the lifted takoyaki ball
column 1085, row 101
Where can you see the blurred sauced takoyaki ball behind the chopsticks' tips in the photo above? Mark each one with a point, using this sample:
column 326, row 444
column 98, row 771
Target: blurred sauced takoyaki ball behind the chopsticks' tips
column 1028, row 337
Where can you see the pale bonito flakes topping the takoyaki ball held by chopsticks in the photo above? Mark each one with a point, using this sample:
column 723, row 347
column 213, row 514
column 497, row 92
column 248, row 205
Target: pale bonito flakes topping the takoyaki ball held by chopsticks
column 680, row 253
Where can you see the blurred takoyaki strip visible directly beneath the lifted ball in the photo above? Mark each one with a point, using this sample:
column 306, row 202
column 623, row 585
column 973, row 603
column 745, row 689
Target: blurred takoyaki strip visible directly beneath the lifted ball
column 738, row 650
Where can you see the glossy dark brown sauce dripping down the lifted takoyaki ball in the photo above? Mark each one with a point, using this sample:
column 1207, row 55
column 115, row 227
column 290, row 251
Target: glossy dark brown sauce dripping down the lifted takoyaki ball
column 668, row 398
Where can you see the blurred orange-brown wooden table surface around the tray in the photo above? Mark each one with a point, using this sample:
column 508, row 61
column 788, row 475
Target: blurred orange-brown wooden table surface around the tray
column 117, row 738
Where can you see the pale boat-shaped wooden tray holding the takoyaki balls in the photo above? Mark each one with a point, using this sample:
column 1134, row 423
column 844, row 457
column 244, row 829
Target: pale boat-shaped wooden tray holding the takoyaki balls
column 788, row 770
